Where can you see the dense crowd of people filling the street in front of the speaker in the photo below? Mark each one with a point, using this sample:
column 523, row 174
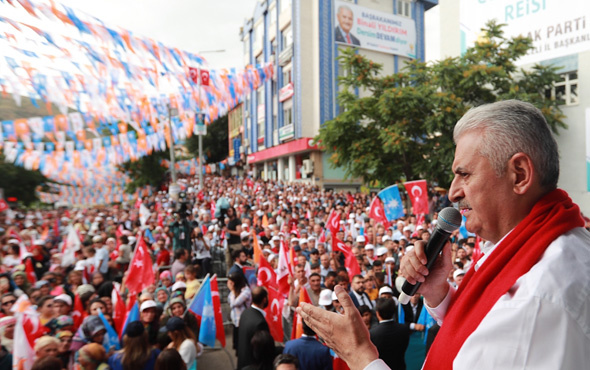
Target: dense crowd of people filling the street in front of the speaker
column 184, row 237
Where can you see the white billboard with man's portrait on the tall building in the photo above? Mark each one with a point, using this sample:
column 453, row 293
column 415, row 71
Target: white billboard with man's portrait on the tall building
column 374, row 30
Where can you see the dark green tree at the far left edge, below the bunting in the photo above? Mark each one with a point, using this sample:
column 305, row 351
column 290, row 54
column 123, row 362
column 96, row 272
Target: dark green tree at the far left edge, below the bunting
column 19, row 182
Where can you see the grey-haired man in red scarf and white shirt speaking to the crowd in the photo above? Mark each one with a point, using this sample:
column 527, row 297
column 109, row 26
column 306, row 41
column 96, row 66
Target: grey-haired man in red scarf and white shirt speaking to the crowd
column 526, row 302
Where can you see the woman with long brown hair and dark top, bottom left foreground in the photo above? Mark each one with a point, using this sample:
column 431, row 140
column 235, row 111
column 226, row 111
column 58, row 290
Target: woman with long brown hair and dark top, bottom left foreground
column 136, row 353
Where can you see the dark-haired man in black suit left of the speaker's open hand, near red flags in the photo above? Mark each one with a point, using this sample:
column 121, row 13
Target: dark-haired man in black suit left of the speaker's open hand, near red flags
column 251, row 321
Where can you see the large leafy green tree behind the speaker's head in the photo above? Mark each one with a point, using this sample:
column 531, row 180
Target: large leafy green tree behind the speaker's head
column 402, row 128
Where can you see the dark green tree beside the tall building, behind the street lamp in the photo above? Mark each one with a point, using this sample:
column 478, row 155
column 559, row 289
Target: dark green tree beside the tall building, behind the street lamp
column 215, row 145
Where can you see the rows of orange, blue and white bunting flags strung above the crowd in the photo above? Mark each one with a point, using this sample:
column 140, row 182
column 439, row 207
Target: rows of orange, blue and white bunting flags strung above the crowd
column 122, row 86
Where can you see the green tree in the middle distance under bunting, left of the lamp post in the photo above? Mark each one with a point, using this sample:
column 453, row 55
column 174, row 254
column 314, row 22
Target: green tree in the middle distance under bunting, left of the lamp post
column 147, row 170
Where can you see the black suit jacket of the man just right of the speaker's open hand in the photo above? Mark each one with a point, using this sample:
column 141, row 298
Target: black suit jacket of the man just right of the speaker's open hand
column 391, row 340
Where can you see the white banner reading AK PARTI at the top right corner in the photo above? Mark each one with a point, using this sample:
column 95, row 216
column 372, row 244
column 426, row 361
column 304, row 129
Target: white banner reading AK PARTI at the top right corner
column 557, row 27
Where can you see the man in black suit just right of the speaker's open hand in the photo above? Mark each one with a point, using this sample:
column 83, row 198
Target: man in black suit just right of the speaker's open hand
column 390, row 338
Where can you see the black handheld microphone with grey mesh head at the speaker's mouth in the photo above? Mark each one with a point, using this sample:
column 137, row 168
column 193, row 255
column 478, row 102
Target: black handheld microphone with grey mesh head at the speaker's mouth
column 449, row 220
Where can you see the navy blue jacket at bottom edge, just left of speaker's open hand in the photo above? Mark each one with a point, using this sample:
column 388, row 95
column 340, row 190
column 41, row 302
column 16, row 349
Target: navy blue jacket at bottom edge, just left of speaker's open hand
column 312, row 354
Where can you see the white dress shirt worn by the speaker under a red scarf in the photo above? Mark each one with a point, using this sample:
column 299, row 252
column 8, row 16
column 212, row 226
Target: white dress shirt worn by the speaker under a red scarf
column 542, row 322
